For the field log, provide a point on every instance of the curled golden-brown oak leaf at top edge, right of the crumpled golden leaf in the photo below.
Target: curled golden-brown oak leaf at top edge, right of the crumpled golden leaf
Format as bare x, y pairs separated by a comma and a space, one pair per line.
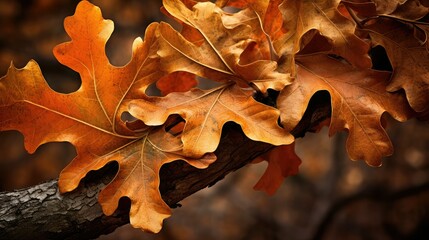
301, 17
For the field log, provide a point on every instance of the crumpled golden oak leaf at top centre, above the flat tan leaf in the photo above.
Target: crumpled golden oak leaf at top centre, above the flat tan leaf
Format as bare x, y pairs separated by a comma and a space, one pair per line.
233, 47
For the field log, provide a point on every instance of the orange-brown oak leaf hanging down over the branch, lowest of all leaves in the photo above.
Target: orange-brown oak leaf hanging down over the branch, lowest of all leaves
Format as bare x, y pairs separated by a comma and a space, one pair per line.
138, 177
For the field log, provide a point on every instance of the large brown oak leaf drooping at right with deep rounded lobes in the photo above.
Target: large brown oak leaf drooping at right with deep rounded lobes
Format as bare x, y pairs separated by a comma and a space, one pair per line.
358, 99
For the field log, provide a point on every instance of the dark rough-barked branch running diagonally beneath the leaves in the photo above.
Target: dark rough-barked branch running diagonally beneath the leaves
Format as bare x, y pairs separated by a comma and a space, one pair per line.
40, 212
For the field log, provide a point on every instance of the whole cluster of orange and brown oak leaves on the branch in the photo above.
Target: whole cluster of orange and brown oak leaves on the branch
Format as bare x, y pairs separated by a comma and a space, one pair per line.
294, 48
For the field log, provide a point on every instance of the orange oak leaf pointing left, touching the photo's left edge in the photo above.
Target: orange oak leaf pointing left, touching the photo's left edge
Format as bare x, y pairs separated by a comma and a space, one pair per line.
42, 115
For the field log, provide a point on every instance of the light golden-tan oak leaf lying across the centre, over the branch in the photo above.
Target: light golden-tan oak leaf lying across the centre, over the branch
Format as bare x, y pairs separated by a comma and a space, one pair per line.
205, 113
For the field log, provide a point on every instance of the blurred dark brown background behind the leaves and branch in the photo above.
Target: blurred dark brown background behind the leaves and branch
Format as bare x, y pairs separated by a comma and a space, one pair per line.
331, 198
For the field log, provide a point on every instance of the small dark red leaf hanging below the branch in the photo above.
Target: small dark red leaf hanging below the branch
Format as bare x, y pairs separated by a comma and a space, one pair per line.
282, 162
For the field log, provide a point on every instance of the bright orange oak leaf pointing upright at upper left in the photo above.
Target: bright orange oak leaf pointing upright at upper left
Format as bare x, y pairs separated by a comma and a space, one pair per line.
108, 85
